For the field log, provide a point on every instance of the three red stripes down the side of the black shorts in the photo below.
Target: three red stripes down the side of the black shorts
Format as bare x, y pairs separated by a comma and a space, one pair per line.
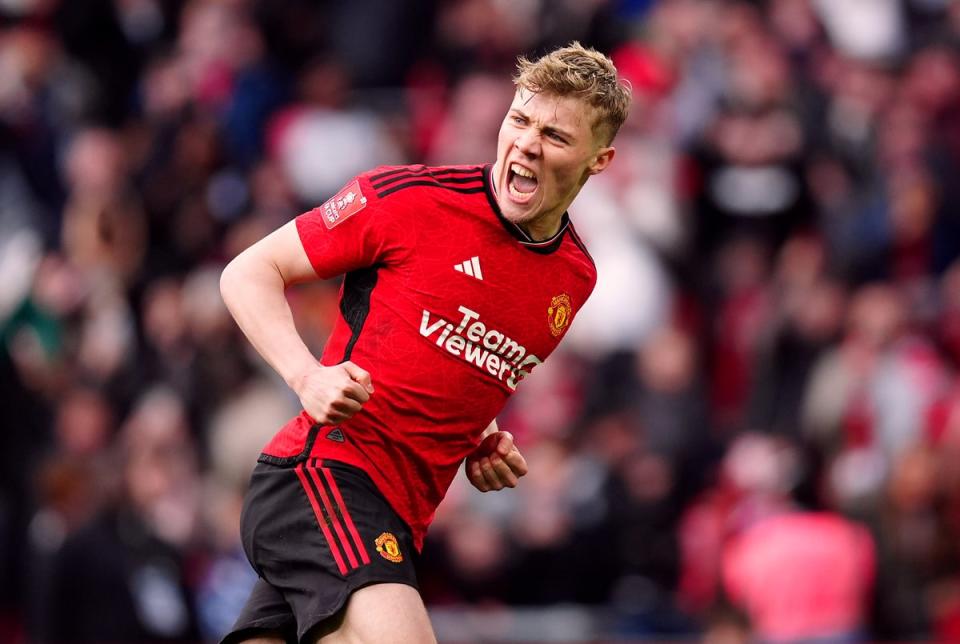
332, 516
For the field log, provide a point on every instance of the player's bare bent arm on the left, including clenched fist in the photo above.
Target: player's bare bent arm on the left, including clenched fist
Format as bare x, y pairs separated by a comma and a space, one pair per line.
254, 286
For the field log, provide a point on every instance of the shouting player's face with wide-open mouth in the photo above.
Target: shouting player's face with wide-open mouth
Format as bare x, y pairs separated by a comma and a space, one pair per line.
545, 153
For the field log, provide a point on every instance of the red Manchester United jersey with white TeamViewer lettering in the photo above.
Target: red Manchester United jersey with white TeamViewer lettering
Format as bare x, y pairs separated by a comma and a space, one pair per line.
448, 306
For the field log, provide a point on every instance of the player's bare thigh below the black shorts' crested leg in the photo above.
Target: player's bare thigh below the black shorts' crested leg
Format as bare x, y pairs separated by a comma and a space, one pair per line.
380, 614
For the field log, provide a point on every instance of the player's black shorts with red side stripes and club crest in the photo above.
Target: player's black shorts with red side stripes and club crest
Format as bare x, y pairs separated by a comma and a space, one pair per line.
316, 532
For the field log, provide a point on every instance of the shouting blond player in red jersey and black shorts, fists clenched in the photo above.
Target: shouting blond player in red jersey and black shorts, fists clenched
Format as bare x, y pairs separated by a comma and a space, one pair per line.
458, 282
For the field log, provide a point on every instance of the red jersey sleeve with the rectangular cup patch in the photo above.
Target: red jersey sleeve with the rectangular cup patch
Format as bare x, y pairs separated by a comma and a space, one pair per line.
351, 230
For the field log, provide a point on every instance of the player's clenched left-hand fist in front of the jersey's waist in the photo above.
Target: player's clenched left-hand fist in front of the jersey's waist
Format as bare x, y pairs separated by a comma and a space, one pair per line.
331, 395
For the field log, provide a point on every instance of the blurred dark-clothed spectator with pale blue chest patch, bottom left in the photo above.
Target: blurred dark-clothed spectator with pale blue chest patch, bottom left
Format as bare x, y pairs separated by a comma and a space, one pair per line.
128, 562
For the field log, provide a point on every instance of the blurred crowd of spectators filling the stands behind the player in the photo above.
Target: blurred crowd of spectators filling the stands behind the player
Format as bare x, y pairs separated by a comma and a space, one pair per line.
751, 431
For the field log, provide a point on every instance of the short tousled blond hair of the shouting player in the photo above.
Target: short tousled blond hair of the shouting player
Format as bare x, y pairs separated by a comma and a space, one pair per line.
584, 73
